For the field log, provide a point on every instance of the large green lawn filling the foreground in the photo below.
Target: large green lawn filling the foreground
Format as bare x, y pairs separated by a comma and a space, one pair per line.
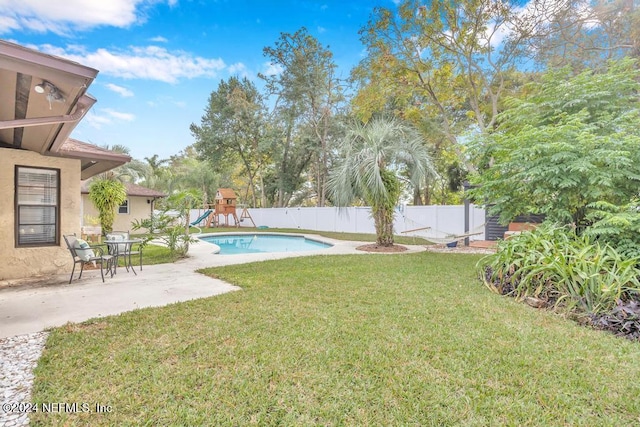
411, 339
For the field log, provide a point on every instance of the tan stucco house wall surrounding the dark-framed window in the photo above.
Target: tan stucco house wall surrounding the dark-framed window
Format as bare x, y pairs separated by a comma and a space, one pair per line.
19, 263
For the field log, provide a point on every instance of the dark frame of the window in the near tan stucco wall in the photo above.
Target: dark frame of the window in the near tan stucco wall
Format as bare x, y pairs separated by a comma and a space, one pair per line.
17, 207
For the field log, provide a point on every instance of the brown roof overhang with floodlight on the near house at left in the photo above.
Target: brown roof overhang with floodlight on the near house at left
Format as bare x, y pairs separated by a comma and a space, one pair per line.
43, 99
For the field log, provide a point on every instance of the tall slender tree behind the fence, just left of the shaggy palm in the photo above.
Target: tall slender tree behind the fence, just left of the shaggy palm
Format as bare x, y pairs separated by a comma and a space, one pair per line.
308, 94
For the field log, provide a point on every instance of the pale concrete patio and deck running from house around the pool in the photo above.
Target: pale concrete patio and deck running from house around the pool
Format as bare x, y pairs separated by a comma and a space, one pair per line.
37, 304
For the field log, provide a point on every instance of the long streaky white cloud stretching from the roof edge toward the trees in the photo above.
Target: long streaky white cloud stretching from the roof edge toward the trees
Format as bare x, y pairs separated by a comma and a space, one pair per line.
146, 62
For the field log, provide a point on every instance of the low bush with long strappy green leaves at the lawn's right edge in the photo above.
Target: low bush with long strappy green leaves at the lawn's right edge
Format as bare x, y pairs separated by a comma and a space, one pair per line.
564, 270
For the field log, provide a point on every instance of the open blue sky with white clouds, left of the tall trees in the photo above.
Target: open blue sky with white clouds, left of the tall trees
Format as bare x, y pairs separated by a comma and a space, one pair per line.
159, 60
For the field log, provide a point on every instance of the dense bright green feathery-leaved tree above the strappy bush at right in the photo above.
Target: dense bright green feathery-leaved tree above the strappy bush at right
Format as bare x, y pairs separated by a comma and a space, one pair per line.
571, 142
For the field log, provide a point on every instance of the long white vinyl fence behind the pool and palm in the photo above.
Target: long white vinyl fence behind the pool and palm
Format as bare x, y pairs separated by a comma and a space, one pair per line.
438, 222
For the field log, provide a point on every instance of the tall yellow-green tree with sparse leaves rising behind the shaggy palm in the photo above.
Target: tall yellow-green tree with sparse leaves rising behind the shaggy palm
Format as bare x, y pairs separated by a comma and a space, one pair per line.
452, 59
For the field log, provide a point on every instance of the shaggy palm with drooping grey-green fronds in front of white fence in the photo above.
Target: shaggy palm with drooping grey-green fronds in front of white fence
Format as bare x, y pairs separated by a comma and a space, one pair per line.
372, 156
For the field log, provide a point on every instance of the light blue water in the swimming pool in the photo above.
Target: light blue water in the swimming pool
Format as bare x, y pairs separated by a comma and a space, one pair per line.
233, 244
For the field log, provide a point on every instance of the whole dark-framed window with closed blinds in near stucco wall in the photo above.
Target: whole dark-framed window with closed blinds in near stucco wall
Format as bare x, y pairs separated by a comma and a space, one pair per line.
37, 206
